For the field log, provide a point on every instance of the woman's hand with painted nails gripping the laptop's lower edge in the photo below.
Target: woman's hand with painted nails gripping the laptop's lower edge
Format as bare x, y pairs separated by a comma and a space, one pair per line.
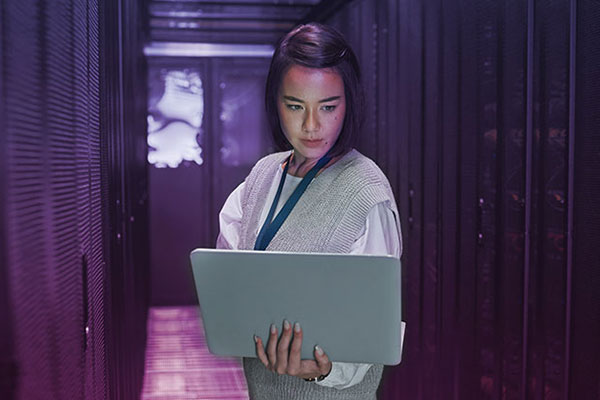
285, 359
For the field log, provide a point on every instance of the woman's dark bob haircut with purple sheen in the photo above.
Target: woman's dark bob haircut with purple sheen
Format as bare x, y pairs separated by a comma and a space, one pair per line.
317, 46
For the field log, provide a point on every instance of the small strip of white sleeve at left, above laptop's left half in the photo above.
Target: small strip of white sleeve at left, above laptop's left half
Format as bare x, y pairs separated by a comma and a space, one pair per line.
230, 219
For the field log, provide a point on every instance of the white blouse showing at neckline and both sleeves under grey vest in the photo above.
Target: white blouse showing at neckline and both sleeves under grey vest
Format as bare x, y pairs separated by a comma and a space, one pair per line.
379, 236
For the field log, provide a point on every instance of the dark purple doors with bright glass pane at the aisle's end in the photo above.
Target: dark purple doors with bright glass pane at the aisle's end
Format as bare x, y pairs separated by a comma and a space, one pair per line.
187, 196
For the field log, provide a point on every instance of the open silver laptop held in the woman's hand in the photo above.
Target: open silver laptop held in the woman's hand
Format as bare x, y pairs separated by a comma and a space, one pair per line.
347, 304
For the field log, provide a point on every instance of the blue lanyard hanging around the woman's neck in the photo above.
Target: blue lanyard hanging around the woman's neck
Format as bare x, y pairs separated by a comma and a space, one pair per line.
269, 229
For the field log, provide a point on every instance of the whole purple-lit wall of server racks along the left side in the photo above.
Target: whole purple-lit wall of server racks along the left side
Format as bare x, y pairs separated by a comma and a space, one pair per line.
56, 264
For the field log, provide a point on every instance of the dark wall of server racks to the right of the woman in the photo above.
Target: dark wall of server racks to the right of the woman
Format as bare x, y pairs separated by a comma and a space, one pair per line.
485, 119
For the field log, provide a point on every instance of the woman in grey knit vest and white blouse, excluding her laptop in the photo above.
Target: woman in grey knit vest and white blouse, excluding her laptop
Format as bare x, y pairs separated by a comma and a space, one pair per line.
332, 200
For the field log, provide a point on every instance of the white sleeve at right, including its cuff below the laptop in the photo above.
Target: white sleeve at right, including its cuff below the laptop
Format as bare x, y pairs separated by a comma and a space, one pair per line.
379, 236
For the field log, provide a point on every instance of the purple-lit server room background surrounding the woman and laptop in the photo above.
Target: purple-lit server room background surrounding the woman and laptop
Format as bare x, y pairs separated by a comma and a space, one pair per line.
125, 124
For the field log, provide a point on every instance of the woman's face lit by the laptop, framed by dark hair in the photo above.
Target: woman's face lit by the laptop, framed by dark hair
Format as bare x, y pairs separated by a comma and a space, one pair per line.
311, 105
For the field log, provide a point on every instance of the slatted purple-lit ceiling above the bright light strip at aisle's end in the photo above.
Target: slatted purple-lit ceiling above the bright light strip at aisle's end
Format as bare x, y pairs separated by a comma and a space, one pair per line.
232, 21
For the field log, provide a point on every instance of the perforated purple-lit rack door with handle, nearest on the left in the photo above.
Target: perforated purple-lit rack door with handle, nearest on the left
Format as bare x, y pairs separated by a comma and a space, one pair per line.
52, 187
